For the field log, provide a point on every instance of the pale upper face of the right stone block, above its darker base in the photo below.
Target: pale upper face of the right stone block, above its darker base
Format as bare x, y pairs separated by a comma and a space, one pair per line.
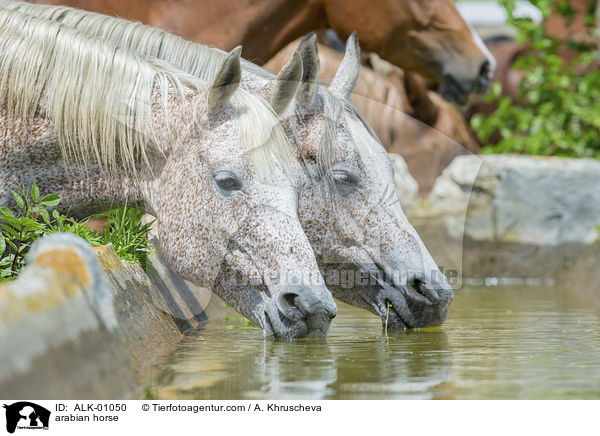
532, 200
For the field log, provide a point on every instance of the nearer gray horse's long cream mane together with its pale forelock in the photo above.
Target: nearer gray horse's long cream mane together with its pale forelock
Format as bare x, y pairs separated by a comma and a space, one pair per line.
100, 96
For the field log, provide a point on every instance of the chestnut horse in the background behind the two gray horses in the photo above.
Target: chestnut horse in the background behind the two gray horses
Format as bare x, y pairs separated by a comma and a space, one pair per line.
426, 36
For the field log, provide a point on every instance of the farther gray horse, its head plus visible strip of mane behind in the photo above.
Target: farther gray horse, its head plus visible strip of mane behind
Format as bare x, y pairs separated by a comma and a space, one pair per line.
370, 254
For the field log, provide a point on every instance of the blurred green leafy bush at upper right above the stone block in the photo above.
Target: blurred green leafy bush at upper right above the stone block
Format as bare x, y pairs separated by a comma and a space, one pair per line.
559, 100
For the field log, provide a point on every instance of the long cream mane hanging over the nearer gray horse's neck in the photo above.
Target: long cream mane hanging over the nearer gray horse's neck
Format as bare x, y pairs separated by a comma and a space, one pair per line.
99, 97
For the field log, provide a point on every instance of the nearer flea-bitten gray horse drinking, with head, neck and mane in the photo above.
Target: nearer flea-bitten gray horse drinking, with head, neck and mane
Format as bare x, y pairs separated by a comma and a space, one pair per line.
101, 126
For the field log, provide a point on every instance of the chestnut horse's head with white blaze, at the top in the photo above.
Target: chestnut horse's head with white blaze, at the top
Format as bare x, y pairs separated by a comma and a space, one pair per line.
426, 36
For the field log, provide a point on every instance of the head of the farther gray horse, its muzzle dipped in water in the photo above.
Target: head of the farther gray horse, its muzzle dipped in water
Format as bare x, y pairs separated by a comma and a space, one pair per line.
369, 253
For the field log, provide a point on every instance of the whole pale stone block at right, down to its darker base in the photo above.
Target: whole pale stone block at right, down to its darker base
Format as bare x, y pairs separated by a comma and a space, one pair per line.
512, 216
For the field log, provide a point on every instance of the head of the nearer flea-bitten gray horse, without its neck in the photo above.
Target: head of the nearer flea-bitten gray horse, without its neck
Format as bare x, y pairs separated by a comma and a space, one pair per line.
227, 210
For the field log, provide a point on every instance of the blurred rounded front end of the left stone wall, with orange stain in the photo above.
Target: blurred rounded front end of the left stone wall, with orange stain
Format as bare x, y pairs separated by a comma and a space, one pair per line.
58, 327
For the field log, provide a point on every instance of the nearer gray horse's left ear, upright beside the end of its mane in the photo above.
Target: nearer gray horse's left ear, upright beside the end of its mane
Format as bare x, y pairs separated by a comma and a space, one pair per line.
227, 81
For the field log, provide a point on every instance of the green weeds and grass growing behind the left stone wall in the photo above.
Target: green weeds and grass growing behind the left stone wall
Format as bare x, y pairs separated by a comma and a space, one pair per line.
124, 229
